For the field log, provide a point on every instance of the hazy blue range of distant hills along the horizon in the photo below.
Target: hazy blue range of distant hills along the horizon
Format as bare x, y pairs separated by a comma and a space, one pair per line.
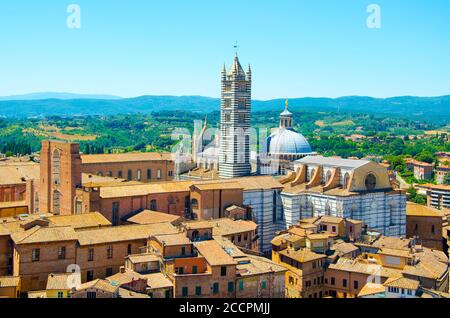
436, 109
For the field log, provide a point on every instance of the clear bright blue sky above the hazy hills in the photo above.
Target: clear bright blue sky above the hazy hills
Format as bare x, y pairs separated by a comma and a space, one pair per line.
296, 48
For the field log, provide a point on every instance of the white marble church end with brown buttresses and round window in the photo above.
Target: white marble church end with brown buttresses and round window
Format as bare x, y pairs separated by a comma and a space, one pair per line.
356, 189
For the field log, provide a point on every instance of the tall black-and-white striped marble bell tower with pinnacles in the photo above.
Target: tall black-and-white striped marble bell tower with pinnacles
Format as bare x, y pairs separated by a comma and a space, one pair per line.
234, 154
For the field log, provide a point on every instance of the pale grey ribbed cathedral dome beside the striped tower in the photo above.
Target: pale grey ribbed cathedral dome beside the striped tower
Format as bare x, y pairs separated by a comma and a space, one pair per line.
288, 141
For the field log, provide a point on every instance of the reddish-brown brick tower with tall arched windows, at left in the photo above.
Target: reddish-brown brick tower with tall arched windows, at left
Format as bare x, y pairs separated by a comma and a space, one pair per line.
60, 176
